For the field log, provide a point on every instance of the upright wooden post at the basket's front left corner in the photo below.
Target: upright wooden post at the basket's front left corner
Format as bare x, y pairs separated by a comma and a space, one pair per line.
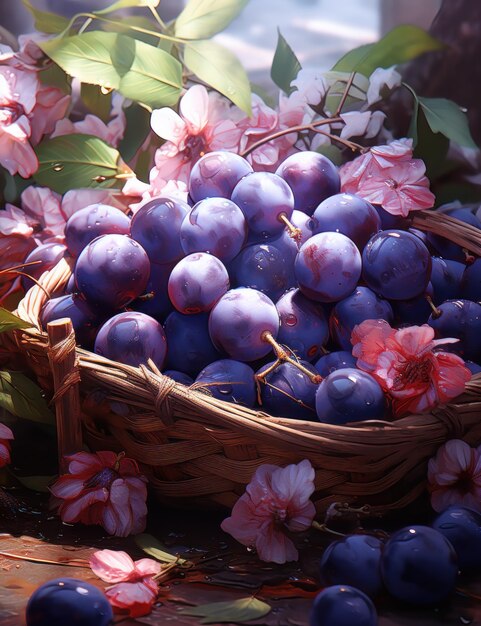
66, 376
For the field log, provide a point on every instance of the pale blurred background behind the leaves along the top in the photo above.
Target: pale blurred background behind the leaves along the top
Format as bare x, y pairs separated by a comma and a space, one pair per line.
319, 31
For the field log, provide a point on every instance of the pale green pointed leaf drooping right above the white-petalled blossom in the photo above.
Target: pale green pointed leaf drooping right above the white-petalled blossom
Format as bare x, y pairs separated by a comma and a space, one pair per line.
220, 69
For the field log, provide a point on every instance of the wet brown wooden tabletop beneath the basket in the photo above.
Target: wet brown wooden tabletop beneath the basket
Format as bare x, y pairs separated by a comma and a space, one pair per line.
224, 570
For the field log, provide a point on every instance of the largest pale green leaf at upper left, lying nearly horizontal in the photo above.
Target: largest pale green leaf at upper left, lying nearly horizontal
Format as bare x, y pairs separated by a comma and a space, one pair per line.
115, 61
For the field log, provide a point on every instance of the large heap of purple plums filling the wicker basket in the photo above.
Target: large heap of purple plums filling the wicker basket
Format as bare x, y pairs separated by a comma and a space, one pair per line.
257, 265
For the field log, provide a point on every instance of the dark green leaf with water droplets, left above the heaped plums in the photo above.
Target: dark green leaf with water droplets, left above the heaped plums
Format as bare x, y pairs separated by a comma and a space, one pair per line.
76, 161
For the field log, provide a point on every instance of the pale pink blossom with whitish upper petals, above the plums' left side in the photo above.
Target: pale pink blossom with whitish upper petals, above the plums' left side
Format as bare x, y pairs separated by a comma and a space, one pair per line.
201, 127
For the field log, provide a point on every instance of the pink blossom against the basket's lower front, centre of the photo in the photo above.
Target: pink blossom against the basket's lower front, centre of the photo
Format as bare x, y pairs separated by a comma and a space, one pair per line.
276, 500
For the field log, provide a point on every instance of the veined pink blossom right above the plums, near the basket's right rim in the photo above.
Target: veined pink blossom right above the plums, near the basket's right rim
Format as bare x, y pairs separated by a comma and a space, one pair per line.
390, 177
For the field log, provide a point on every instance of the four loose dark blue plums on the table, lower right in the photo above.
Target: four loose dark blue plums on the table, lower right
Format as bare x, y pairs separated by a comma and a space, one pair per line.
417, 565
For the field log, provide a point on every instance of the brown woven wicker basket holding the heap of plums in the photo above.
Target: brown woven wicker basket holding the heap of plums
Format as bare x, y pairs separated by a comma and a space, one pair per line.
198, 450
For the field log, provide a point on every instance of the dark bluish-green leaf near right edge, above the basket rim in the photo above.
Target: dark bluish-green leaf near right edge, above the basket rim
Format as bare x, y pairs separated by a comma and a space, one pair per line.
446, 117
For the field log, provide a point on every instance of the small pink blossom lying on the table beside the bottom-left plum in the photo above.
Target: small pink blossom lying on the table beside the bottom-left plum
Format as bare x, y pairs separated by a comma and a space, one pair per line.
134, 588
